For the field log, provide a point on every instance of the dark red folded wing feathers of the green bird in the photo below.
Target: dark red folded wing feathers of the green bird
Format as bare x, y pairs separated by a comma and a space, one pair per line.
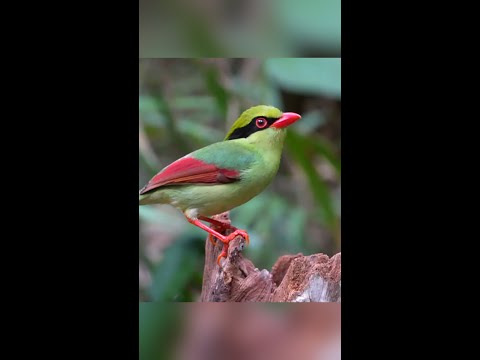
190, 171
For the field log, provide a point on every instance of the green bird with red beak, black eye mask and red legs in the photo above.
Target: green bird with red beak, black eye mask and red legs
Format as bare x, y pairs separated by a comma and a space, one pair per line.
224, 175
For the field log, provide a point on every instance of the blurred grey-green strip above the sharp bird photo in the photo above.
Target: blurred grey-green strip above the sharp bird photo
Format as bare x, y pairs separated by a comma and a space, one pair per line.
215, 28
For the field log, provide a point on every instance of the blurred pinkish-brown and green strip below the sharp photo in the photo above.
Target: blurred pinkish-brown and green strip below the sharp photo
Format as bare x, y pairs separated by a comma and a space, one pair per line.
213, 331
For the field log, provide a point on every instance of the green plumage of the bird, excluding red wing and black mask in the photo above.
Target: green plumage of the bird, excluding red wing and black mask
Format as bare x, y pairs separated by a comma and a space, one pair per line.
256, 158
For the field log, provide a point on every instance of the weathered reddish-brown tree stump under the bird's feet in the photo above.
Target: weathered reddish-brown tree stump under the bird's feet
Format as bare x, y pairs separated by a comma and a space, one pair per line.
293, 278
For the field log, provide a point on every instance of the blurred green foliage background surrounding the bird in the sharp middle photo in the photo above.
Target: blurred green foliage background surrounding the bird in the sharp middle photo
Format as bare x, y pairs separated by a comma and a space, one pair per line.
185, 104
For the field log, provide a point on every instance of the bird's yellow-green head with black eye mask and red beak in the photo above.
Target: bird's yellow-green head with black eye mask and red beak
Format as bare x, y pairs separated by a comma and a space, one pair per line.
262, 123
